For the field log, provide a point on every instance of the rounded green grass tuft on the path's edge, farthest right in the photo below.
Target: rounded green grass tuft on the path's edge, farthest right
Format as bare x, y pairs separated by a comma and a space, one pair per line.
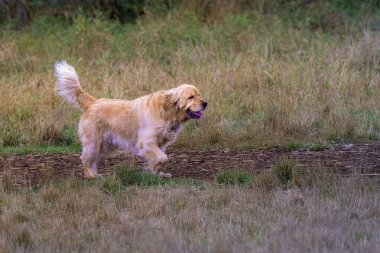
288, 173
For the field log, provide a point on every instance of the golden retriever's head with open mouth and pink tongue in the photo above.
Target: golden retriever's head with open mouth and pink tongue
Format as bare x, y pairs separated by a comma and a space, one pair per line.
186, 102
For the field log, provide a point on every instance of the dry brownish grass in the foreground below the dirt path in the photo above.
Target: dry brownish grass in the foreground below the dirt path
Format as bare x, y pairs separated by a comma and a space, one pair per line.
329, 216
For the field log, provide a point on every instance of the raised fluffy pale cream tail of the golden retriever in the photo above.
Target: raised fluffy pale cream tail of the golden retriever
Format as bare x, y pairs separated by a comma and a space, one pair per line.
68, 86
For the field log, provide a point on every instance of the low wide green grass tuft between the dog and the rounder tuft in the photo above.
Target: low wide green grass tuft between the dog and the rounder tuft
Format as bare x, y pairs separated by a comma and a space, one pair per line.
233, 177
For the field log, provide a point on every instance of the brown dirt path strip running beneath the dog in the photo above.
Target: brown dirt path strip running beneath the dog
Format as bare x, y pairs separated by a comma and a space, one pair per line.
361, 158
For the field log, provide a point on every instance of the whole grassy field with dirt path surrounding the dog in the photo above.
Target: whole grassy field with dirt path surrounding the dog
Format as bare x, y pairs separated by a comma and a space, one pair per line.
286, 158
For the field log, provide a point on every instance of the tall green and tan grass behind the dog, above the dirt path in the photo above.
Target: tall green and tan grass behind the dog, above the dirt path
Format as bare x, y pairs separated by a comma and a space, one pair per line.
268, 80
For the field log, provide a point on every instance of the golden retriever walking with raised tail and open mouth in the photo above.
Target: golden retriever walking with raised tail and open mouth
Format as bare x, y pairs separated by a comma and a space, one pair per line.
145, 126
